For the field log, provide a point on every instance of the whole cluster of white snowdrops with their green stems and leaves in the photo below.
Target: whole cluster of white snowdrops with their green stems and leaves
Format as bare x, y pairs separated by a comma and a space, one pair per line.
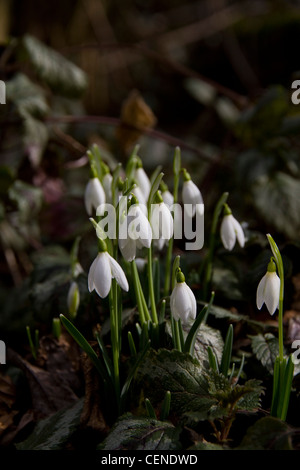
135, 215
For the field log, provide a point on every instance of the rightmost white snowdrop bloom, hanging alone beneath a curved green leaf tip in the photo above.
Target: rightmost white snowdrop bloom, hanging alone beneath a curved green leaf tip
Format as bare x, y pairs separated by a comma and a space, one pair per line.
268, 289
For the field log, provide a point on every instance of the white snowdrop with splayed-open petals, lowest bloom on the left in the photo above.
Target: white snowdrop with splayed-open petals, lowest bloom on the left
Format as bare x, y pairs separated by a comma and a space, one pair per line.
103, 269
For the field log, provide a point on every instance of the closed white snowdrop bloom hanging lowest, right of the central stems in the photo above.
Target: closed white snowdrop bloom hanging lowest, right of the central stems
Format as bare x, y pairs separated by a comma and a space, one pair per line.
182, 301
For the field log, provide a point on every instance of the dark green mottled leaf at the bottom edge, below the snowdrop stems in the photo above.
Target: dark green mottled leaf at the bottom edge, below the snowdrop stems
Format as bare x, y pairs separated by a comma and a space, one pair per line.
141, 433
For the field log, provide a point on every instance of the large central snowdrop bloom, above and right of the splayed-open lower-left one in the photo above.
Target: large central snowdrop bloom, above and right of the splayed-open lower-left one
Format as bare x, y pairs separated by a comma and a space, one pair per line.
135, 232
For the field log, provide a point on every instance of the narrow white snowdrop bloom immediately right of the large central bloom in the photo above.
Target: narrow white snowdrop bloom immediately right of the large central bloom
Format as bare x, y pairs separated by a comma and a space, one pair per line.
161, 220
